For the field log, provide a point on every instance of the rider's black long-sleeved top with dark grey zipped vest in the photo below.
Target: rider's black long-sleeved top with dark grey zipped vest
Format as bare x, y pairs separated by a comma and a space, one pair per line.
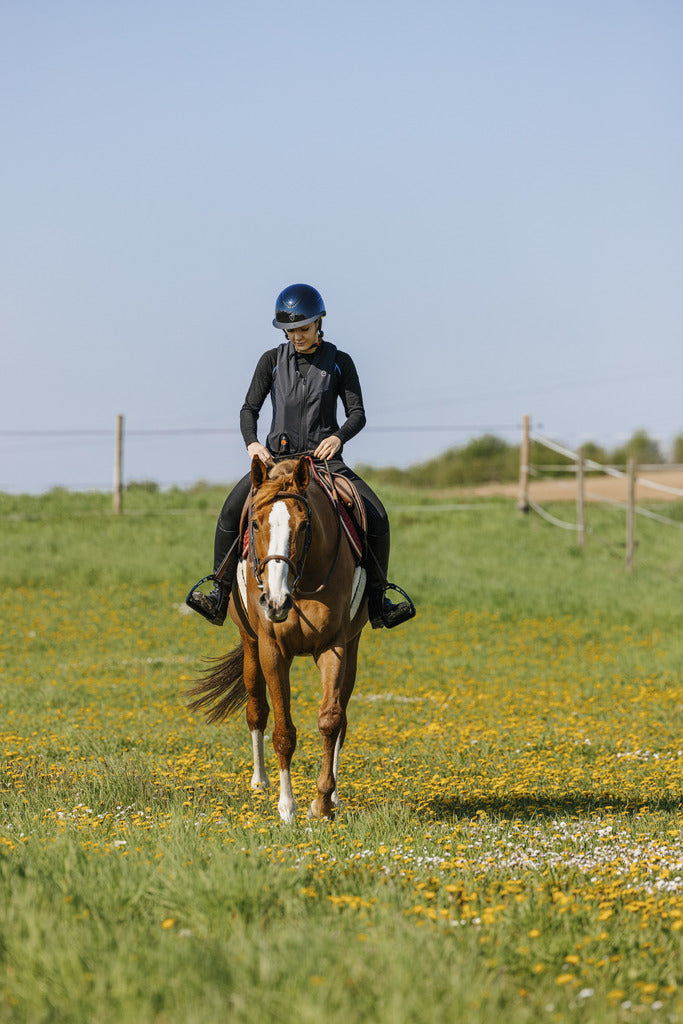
305, 390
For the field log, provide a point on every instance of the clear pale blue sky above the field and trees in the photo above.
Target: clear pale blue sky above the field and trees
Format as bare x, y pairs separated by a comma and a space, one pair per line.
487, 194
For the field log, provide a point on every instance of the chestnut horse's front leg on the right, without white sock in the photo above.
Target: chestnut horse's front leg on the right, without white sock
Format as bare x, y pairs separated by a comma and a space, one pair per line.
332, 726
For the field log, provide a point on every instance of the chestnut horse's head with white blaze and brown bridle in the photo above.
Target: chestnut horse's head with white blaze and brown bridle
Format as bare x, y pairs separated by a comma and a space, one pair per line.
280, 532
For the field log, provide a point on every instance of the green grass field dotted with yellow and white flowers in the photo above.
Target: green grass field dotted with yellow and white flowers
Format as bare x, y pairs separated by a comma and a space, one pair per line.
511, 844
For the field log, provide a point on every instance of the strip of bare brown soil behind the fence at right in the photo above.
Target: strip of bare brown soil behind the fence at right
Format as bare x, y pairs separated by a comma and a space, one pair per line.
596, 489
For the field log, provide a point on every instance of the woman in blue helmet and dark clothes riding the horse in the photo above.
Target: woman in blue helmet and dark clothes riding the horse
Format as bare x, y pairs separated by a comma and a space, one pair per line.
305, 377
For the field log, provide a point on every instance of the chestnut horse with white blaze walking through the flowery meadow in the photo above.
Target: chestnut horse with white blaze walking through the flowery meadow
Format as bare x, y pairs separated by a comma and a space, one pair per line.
302, 576
